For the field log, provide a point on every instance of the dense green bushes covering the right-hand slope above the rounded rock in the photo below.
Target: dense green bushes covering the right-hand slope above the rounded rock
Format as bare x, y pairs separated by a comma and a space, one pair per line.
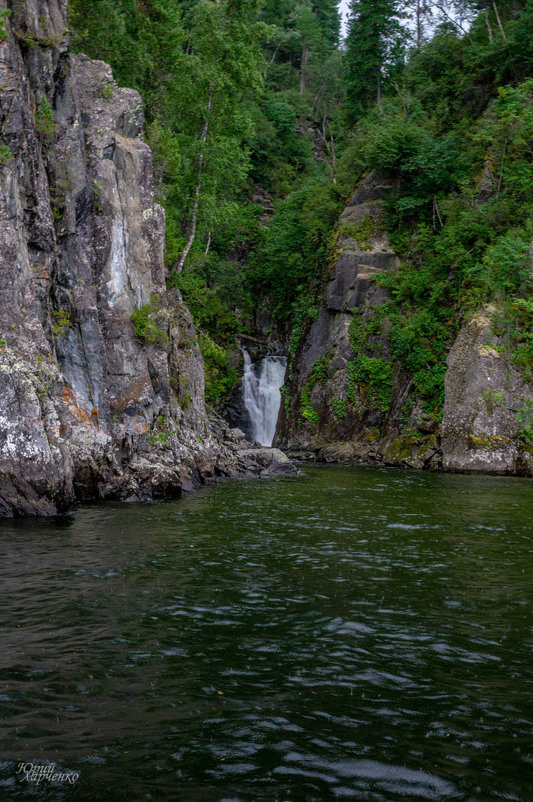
455, 134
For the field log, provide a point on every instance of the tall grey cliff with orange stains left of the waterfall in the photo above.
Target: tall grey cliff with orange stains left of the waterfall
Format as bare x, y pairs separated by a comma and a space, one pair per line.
101, 379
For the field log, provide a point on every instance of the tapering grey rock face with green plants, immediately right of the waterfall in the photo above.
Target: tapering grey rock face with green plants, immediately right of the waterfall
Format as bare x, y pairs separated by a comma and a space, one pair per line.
330, 416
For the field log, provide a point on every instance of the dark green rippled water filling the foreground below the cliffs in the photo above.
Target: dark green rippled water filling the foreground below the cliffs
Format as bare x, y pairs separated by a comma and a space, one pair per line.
354, 634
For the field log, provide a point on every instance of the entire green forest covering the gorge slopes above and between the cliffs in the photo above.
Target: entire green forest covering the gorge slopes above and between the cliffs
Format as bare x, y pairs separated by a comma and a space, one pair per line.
263, 118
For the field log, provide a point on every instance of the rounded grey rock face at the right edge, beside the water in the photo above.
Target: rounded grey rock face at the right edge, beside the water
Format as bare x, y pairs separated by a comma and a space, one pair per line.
487, 405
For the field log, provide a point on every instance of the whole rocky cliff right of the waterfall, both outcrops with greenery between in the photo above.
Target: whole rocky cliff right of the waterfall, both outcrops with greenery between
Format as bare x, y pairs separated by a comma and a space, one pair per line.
347, 401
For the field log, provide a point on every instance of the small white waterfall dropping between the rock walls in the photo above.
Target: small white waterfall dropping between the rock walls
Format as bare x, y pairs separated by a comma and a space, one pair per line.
261, 395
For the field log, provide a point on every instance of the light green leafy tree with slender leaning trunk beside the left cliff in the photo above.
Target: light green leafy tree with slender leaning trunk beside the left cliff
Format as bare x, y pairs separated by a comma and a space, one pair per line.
221, 73
